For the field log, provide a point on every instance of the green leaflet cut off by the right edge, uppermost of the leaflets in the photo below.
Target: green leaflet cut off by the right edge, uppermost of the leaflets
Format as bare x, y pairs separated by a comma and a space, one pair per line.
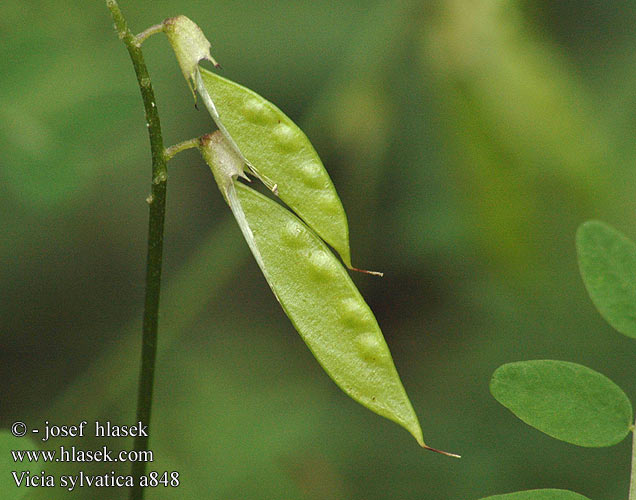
607, 261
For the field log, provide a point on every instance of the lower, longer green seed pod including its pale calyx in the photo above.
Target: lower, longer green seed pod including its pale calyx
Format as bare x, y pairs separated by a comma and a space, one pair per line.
316, 293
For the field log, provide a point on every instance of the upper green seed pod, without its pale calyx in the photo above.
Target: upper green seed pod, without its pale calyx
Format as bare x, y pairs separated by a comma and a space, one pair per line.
280, 154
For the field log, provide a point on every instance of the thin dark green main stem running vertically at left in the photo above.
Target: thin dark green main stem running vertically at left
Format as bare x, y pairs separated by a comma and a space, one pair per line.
157, 203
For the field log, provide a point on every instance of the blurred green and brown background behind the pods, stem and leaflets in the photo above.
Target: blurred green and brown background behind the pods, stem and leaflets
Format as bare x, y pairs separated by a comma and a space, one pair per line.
467, 139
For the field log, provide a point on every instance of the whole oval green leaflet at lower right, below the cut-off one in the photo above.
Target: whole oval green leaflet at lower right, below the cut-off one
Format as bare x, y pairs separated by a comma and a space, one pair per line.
565, 400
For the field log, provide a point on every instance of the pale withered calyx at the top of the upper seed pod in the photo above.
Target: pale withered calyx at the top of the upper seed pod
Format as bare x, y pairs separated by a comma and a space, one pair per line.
190, 46
